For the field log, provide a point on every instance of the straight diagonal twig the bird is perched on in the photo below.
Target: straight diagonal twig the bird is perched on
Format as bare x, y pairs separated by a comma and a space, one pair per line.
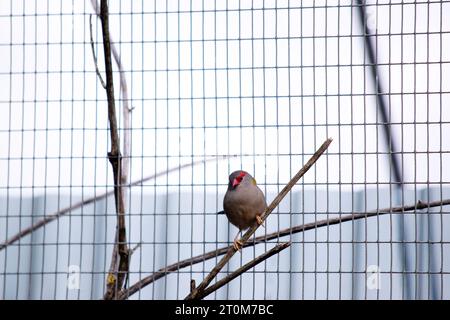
265, 214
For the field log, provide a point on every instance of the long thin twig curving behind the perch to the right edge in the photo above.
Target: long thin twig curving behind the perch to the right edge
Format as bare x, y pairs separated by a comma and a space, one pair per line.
275, 235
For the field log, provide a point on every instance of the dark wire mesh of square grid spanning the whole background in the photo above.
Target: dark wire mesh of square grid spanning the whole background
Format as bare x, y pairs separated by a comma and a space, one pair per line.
204, 88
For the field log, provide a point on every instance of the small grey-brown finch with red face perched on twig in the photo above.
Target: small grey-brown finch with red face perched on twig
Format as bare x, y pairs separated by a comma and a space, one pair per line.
244, 203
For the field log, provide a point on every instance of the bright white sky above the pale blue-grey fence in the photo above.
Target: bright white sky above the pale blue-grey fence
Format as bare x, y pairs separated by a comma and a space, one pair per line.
48, 85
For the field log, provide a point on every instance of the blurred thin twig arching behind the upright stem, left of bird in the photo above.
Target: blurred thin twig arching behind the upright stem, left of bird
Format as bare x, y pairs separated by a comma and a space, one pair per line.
51, 217
